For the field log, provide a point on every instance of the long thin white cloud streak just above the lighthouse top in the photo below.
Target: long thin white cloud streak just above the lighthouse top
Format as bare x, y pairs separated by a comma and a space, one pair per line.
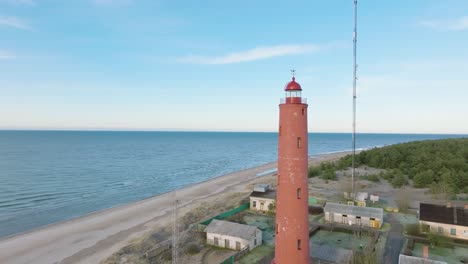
258, 53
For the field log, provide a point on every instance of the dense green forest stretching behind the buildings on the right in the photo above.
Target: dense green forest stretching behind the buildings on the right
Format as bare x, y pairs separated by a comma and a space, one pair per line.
437, 164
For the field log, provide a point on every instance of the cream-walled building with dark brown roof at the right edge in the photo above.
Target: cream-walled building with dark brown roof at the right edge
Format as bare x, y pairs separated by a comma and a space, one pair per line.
447, 220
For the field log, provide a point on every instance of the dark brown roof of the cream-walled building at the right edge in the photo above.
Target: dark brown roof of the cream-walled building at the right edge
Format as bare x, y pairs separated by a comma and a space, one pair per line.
443, 214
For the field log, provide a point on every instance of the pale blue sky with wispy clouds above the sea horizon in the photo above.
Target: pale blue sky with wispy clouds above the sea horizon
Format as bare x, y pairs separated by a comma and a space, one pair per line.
222, 65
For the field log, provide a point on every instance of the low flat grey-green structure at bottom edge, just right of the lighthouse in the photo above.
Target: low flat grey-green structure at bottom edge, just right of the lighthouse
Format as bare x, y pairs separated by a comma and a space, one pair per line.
321, 254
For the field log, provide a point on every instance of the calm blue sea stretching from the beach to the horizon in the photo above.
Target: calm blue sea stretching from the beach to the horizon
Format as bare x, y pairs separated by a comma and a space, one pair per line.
49, 176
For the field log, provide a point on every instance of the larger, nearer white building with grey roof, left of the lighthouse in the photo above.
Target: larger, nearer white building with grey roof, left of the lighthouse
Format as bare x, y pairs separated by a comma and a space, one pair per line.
233, 235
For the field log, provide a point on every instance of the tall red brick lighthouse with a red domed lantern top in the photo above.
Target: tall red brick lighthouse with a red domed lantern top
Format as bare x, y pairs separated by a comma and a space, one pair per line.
292, 225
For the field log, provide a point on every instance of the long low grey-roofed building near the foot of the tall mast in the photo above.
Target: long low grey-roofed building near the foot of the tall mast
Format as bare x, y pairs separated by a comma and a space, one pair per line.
353, 215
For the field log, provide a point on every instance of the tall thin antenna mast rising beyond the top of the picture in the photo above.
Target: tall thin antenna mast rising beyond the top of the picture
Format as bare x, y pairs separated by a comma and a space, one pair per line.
354, 97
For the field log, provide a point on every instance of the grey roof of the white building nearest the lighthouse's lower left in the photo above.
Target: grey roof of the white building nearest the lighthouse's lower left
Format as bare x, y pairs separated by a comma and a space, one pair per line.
231, 229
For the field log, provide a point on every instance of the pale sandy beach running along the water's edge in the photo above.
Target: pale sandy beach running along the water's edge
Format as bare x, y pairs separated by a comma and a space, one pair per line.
94, 237
